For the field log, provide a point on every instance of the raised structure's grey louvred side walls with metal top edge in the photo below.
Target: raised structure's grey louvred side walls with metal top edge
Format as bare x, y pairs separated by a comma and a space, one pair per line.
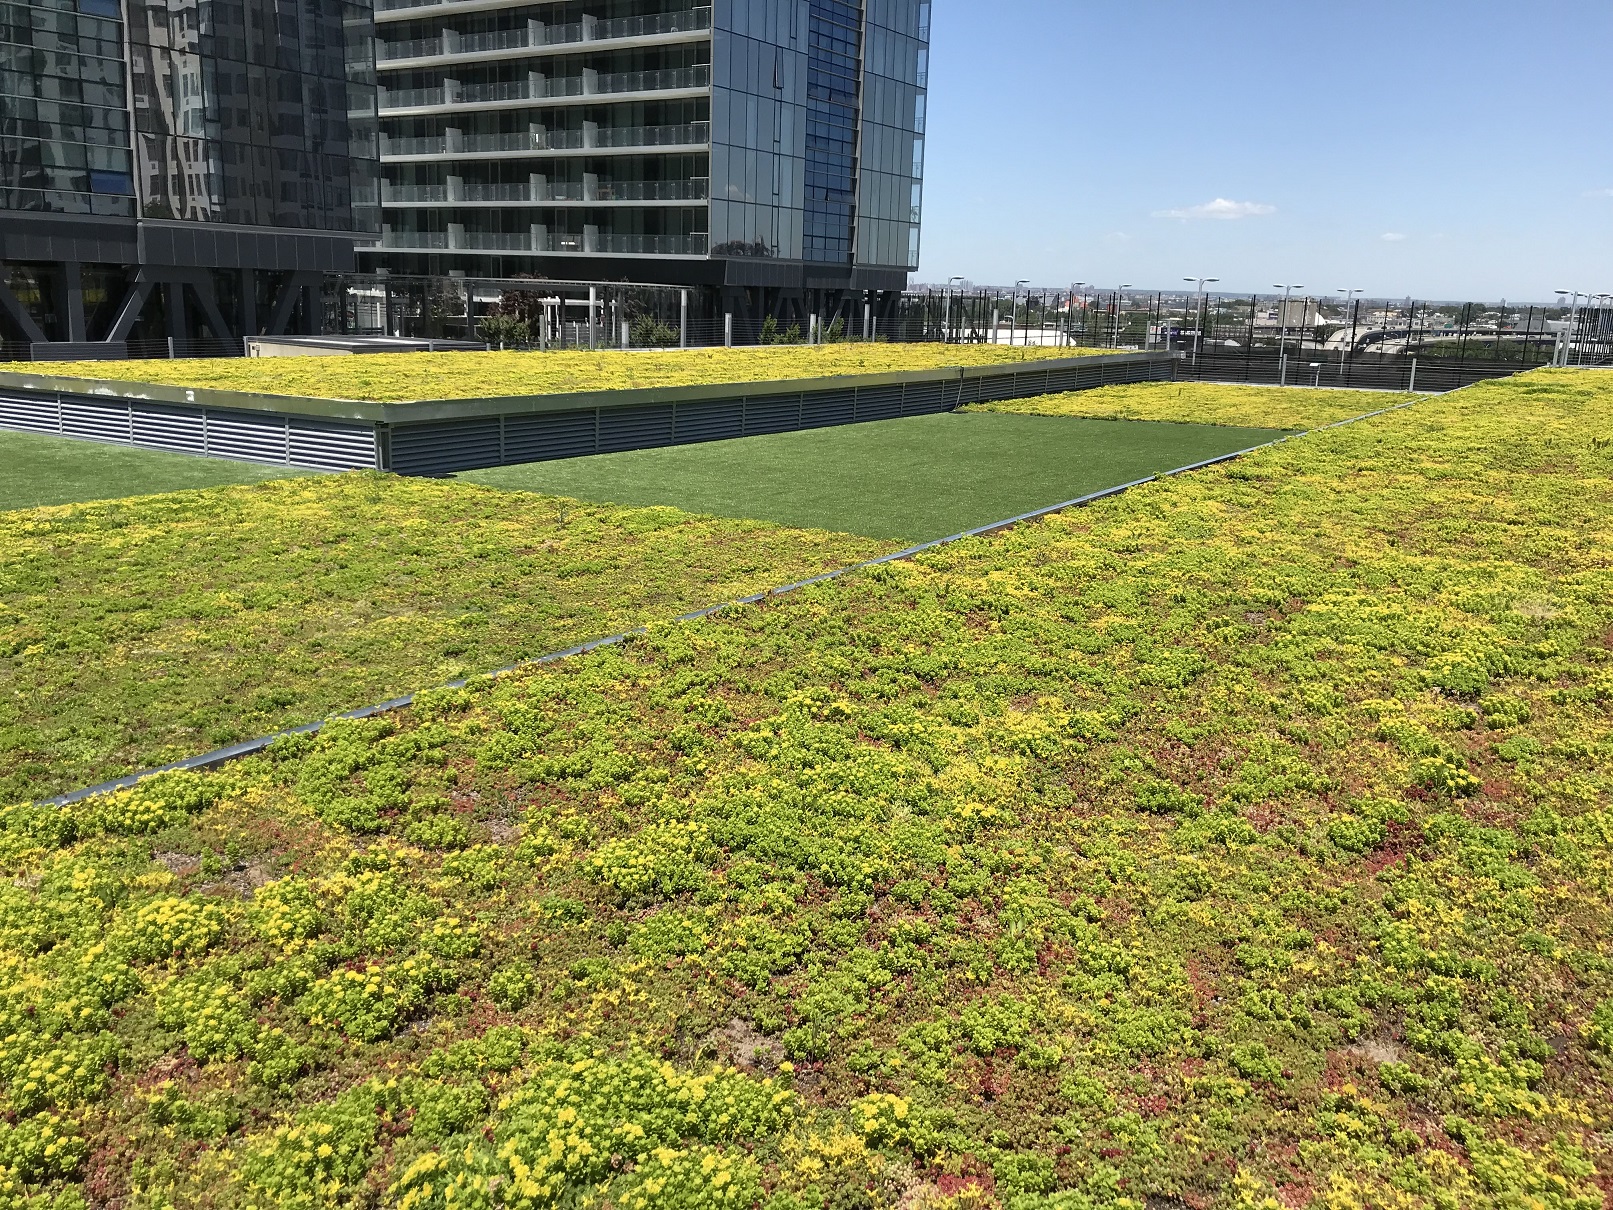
446, 436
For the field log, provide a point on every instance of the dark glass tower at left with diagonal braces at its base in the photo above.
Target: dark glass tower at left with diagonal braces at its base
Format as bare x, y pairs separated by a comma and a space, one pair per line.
180, 169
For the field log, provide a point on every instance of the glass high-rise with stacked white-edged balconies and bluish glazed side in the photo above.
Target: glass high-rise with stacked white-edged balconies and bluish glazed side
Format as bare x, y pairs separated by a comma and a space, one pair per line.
738, 144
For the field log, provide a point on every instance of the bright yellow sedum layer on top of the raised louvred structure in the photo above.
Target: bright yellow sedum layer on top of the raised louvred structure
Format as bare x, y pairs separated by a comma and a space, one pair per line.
399, 378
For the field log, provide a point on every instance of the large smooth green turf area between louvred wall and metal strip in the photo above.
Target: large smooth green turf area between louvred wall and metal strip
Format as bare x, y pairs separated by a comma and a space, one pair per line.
909, 480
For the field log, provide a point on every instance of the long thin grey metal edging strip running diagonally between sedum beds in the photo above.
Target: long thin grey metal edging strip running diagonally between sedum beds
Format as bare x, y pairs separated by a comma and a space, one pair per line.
248, 748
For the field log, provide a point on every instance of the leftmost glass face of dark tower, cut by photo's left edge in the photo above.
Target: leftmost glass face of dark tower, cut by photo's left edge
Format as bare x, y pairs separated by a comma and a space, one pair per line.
64, 119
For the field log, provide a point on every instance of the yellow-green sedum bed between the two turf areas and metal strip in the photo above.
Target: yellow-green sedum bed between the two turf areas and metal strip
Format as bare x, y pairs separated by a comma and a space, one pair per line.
135, 633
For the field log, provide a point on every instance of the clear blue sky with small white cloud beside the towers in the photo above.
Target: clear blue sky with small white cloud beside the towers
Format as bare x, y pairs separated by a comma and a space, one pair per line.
1443, 149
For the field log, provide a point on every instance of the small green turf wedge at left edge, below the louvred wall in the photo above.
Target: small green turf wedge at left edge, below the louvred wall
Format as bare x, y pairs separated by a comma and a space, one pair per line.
38, 470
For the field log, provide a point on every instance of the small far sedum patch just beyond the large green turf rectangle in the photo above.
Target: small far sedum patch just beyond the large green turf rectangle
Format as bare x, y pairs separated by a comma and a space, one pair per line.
1207, 404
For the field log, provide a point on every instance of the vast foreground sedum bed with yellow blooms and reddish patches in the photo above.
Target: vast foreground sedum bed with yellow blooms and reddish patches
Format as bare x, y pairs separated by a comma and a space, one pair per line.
1243, 841
